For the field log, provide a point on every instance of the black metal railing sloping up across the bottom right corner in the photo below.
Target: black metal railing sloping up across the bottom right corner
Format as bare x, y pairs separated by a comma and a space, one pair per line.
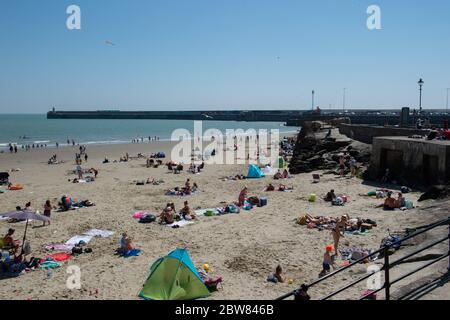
387, 266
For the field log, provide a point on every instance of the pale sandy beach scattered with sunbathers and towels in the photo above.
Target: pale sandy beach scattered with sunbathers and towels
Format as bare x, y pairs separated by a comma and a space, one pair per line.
242, 248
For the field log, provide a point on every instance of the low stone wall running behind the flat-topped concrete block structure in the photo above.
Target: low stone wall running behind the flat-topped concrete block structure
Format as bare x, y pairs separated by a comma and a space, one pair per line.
366, 133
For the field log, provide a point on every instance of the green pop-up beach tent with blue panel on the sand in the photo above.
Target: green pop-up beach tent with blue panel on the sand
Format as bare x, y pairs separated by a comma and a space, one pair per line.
174, 278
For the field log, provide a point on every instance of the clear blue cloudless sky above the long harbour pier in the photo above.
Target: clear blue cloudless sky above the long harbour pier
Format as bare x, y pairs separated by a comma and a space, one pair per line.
221, 54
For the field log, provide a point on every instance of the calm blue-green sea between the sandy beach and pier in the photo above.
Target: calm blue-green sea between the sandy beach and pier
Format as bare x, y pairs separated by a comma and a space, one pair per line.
39, 129
